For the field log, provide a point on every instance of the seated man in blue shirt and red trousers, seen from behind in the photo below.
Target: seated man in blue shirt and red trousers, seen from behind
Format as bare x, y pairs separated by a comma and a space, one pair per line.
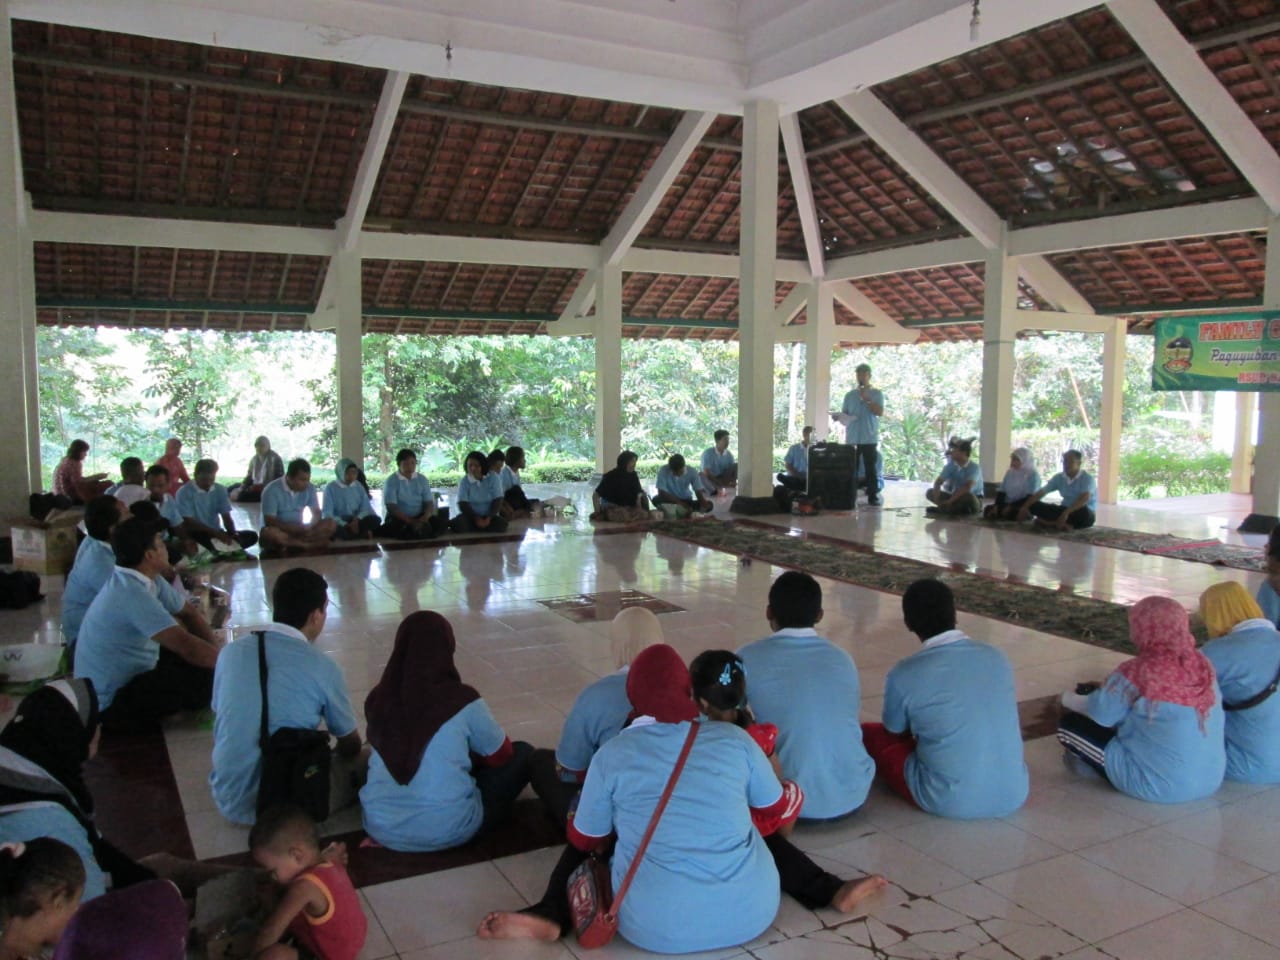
952, 742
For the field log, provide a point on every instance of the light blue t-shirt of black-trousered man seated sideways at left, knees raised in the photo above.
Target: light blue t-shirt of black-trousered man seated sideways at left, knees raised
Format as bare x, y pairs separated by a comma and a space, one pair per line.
116, 642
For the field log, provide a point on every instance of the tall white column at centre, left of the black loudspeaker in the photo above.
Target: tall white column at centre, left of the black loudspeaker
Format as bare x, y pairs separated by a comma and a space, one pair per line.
758, 244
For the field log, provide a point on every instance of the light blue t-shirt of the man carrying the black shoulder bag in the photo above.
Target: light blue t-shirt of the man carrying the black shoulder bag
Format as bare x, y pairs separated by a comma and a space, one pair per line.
304, 687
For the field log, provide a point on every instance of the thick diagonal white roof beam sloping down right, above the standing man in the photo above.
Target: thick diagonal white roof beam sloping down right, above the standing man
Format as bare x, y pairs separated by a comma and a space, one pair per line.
927, 168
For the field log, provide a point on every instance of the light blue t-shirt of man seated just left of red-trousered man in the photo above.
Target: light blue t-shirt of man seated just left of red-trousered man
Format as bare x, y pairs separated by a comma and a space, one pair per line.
810, 688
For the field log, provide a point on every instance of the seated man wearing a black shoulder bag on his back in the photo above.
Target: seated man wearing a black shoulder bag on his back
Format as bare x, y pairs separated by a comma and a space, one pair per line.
304, 688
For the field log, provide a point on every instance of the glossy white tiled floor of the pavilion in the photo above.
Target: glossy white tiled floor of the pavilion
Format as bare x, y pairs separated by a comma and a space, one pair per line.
1081, 872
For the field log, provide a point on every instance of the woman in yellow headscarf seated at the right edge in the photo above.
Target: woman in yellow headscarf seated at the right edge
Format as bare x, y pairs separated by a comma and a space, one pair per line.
1245, 650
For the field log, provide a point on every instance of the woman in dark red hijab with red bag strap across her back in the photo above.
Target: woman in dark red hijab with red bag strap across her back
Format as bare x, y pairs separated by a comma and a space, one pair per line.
707, 880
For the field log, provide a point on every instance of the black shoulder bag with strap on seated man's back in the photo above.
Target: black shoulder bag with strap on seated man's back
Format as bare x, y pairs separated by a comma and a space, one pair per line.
295, 761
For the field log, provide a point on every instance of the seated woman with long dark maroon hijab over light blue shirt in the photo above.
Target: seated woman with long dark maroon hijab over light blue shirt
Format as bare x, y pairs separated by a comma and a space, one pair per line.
441, 769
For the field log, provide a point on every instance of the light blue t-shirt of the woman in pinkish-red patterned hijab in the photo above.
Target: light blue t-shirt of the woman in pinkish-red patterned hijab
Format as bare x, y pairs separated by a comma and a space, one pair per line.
1159, 752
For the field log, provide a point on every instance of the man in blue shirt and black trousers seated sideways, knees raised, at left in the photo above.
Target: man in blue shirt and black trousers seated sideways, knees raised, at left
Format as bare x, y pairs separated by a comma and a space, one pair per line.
148, 651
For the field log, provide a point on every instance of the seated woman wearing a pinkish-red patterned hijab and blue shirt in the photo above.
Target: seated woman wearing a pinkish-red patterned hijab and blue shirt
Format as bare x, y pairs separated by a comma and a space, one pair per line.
1155, 728
